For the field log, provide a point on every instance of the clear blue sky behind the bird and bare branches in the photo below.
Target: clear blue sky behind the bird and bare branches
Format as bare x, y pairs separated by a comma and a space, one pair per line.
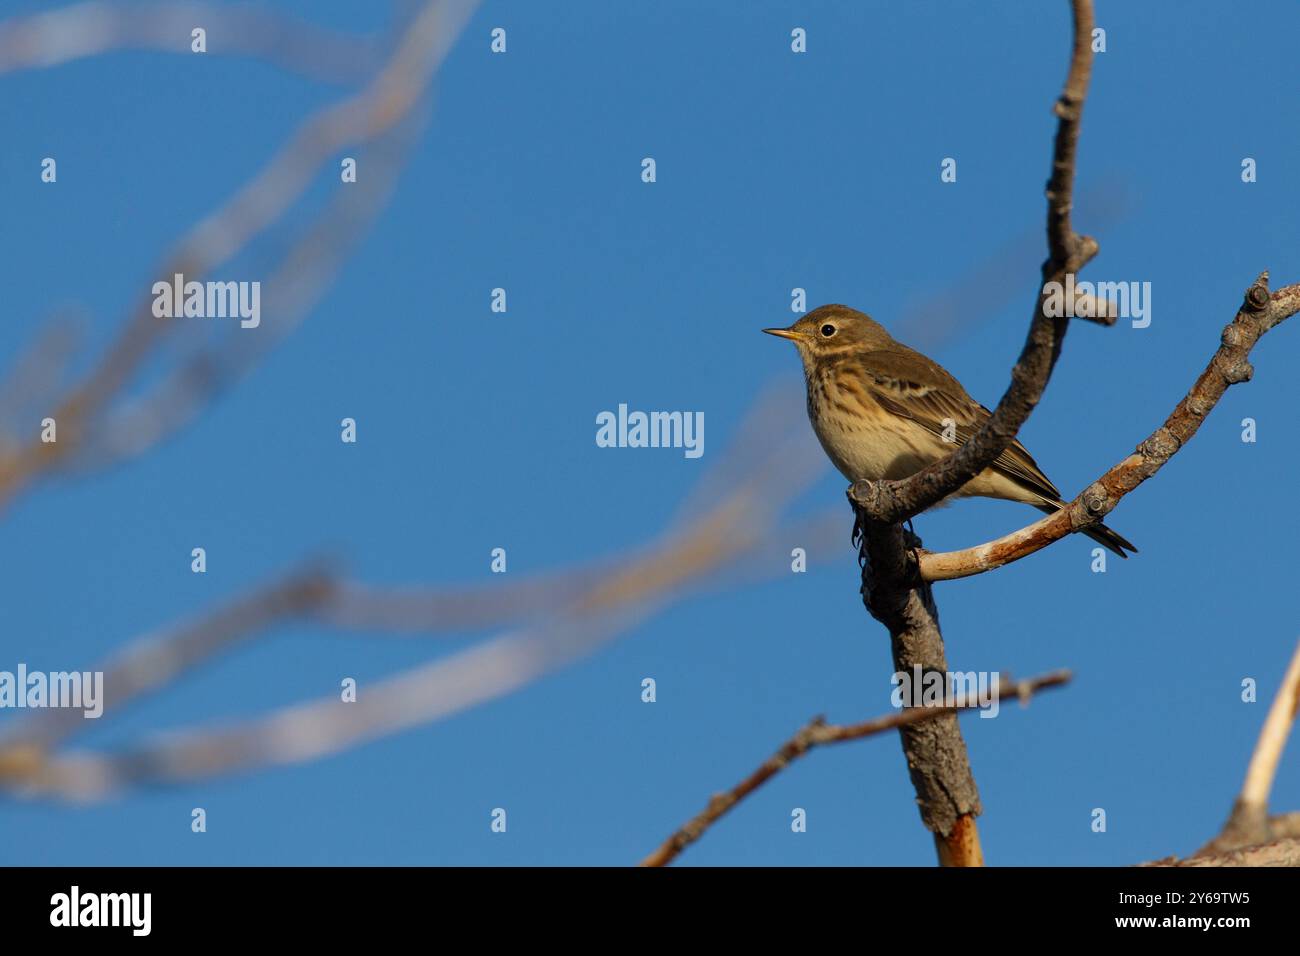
775, 171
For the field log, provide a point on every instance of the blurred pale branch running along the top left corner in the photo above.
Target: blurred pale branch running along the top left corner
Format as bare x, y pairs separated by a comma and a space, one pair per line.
54, 38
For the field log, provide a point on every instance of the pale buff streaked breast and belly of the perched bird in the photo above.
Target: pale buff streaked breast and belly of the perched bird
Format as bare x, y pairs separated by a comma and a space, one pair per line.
887, 447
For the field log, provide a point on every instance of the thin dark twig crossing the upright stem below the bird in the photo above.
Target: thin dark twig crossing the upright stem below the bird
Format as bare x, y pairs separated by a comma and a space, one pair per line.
817, 733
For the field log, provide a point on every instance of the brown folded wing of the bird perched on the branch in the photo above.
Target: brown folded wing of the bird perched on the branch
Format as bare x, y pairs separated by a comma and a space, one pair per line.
912, 386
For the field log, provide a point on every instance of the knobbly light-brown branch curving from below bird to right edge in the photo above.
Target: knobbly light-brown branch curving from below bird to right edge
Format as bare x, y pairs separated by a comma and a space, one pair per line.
1259, 313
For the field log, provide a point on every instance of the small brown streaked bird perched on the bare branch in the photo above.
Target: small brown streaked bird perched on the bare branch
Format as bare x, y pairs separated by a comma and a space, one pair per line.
886, 412
